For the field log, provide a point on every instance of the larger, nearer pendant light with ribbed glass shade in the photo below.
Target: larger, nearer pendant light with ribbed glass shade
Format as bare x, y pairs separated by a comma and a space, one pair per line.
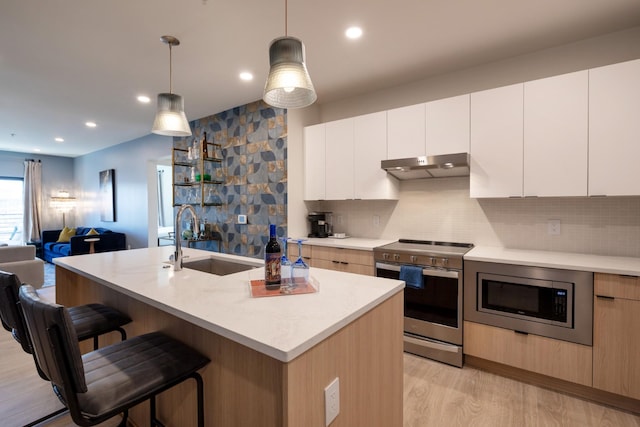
288, 84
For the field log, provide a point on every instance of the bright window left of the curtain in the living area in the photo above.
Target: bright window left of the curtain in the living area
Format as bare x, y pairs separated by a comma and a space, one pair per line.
11, 210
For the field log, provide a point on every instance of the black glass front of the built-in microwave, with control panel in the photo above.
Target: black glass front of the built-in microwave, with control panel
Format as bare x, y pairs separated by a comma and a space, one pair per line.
534, 301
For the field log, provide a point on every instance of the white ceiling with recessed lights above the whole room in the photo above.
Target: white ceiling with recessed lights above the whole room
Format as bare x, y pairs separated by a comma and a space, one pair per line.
64, 62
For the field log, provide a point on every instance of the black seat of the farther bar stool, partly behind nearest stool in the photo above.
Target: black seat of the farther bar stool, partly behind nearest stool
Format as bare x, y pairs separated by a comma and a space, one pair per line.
95, 319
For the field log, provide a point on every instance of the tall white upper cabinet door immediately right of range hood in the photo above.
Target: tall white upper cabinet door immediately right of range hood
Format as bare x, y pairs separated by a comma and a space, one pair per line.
496, 142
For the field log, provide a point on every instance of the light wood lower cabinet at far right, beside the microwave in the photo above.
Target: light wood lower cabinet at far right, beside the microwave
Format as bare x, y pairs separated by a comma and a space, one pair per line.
616, 334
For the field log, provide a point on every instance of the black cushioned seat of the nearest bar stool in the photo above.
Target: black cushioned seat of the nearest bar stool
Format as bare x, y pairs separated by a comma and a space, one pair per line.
117, 375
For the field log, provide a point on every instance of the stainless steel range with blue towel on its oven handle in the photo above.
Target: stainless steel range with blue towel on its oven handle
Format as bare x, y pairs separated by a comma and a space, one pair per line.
433, 307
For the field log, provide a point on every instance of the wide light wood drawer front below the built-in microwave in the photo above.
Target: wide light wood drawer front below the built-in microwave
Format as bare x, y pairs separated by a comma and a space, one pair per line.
546, 356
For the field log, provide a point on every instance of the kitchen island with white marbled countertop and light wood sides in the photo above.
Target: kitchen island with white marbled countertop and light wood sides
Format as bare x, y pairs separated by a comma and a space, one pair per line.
271, 357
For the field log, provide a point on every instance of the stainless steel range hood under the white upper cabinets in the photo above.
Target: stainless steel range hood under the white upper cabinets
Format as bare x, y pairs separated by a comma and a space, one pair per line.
441, 166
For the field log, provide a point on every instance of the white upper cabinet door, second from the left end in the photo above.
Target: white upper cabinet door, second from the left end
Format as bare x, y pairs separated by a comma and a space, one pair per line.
339, 161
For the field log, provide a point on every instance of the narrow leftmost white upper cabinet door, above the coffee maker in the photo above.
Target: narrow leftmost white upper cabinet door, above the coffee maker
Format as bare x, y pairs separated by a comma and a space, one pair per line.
314, 162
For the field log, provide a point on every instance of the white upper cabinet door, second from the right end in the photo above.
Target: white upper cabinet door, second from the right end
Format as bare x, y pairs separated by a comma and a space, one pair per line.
555, 135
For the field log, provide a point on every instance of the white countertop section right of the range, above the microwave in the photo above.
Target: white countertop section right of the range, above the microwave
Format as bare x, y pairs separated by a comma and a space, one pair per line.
564, 260
